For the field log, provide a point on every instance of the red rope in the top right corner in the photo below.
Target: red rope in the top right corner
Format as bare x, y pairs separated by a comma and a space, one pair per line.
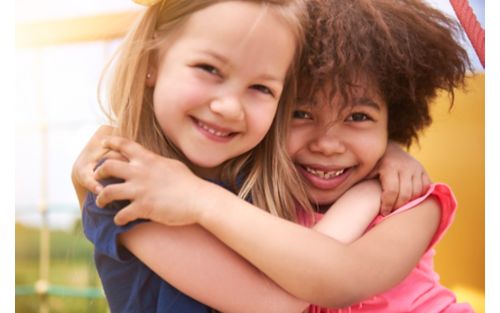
471, 26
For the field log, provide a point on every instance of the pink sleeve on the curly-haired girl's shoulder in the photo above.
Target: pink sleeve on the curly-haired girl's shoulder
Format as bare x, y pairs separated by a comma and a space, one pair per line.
448, 205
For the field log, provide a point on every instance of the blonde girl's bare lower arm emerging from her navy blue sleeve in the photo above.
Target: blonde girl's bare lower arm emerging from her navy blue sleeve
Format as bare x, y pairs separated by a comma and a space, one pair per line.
198, 264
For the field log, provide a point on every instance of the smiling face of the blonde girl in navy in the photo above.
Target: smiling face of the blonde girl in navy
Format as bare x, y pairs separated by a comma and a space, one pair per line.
218, 82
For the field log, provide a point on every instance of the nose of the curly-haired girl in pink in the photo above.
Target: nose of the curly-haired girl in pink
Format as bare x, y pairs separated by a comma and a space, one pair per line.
327, 141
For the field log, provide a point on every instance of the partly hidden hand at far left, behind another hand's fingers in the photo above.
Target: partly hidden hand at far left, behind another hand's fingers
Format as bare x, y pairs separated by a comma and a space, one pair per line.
82, 173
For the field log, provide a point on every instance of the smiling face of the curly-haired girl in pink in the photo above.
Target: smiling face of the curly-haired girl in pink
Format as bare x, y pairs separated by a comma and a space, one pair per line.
334, 149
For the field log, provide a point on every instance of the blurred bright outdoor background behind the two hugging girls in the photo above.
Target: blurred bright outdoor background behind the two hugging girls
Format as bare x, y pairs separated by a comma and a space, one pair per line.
61, 49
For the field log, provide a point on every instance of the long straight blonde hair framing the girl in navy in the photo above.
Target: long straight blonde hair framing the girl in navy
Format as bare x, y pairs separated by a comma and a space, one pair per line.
269, 177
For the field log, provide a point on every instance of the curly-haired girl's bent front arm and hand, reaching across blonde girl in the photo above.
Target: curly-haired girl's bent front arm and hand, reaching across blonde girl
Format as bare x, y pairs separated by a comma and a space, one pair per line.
313, 267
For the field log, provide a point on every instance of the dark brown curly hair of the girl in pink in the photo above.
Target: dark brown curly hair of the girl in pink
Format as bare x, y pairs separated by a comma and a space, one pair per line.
407, 48
